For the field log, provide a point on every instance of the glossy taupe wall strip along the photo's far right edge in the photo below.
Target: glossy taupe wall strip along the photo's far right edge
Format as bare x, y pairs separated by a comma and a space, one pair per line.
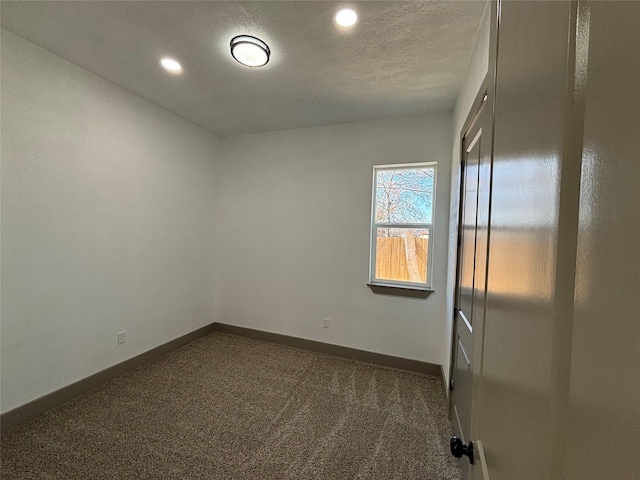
602, 394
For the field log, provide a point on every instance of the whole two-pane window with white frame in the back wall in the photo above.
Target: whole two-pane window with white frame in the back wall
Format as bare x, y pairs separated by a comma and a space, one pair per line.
401, 225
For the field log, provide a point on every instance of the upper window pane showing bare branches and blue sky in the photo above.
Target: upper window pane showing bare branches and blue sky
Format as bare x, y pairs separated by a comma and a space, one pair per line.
404, 195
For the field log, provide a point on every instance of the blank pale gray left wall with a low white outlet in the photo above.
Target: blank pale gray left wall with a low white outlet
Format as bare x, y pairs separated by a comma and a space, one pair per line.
108, 223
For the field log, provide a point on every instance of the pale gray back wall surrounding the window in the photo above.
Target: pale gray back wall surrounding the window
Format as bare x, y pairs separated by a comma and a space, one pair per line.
294, 221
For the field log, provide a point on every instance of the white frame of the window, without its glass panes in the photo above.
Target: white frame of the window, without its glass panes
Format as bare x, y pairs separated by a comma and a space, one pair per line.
427, 285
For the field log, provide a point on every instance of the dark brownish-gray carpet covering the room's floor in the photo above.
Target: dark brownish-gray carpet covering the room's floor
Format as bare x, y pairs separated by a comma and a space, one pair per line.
228, 407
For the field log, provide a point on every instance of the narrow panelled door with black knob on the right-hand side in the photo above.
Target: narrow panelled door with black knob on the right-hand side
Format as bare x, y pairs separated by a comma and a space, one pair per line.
471, 272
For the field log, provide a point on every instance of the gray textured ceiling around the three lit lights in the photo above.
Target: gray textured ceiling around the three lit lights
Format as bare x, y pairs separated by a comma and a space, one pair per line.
401, 58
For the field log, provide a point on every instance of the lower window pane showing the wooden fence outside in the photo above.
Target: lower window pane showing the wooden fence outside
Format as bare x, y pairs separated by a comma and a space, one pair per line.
401, 254
